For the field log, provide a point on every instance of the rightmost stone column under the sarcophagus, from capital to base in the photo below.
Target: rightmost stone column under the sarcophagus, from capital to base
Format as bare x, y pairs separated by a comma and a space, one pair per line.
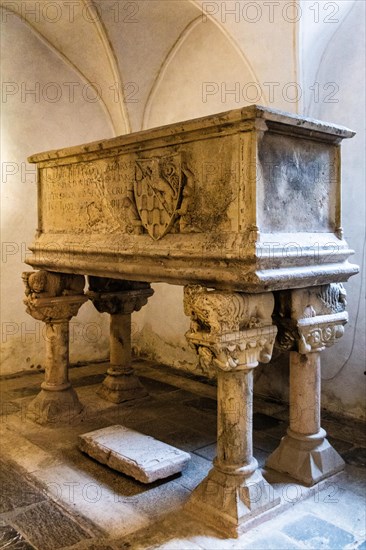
309, 320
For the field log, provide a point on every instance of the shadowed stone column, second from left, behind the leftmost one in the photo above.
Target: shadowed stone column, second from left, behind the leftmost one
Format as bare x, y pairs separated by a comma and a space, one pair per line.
119, 299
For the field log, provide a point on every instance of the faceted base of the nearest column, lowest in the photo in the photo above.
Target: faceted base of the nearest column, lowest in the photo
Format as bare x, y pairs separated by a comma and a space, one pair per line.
230, 502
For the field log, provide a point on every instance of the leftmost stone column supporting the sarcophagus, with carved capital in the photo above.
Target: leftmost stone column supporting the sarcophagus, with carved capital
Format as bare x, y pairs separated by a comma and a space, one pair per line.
55, 298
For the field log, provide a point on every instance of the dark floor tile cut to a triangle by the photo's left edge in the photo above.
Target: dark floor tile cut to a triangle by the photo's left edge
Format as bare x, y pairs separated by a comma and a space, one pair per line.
16, 491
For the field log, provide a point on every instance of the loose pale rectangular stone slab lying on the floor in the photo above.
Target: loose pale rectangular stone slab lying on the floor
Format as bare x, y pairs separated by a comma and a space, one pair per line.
132, 453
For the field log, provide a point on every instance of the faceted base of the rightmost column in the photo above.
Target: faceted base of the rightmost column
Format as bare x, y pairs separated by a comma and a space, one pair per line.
307, 458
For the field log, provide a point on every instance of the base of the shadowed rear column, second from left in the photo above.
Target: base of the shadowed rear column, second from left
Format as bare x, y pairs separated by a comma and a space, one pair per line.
119, 387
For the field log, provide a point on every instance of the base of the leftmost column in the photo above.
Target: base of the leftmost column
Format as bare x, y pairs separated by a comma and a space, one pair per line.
55, 407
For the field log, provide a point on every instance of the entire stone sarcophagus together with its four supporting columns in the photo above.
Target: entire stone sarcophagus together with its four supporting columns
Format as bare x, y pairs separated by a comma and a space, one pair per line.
243, 208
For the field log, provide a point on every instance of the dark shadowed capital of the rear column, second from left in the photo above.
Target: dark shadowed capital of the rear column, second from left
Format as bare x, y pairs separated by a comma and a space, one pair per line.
113, 296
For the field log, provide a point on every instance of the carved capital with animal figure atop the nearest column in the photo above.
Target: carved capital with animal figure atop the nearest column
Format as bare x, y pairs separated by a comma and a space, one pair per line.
229, 330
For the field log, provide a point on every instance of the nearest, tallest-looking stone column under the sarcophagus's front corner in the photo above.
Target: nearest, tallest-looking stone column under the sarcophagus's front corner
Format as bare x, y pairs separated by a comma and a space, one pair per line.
231, 332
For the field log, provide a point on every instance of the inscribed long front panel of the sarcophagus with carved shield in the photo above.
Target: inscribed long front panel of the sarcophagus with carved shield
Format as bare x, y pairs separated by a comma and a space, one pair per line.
174, 190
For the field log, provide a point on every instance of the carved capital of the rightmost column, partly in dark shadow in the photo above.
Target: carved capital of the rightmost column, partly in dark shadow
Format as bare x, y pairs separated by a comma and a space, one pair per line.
310, 320
